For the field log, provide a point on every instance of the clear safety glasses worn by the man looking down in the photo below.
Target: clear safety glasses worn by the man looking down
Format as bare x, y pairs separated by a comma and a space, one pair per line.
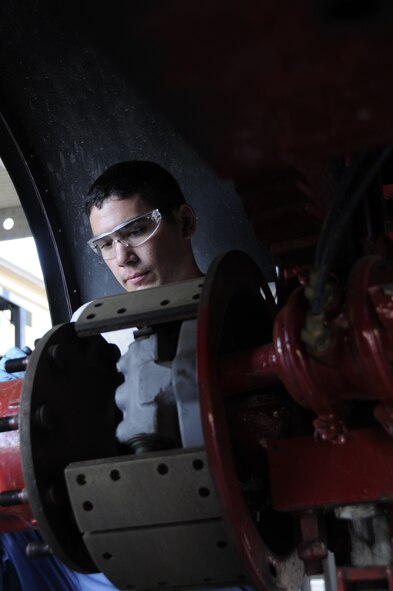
131, 233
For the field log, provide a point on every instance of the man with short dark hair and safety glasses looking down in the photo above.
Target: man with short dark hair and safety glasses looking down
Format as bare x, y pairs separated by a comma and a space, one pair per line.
142, 228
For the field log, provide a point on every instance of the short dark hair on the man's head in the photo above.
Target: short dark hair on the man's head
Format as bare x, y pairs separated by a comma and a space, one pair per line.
156, 186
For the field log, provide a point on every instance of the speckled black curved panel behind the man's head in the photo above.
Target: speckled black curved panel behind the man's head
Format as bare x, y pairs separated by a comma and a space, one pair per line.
73, 108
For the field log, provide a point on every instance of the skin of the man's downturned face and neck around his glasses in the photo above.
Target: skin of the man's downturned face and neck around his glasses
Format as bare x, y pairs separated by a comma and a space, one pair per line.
164, 258
